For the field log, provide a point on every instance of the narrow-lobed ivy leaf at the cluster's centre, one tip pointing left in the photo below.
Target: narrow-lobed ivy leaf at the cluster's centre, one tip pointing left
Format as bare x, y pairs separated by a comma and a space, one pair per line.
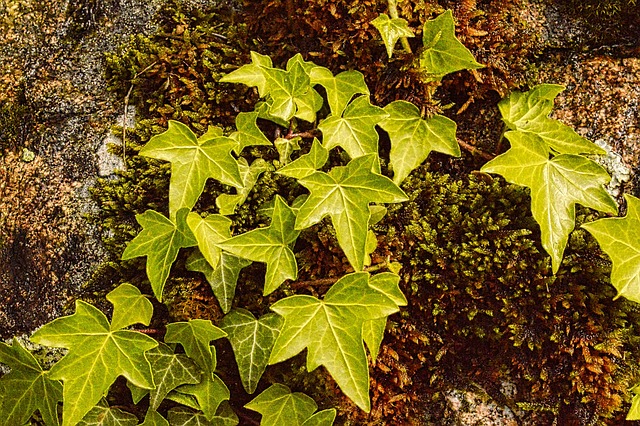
270, 245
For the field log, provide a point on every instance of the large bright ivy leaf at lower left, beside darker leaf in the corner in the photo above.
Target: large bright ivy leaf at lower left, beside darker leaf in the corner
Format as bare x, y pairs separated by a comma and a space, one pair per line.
98, 354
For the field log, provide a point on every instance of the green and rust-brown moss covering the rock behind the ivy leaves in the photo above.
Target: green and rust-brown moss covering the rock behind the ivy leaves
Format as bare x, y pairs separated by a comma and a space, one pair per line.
484, 308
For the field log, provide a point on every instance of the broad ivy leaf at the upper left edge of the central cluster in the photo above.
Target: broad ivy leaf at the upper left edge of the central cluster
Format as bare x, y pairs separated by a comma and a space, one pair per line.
193, 161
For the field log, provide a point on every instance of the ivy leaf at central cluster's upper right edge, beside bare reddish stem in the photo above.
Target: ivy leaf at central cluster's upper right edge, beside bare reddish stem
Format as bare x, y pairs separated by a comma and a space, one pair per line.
413, 138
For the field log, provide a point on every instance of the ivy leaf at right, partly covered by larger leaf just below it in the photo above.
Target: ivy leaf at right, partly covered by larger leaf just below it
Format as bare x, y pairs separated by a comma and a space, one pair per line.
528, 112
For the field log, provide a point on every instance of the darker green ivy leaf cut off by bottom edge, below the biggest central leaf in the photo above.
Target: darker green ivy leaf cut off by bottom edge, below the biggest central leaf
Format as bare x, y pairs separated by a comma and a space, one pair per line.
280, 407
